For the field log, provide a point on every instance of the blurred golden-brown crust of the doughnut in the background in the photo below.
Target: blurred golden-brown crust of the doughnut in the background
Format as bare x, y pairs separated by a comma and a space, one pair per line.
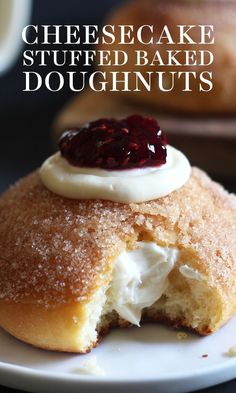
220, 14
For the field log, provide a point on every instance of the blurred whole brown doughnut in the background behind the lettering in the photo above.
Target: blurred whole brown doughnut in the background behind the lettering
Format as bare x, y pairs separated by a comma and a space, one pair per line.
218, 99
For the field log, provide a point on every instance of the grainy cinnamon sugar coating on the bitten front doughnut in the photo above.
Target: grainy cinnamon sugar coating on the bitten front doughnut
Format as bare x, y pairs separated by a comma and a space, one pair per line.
55, 250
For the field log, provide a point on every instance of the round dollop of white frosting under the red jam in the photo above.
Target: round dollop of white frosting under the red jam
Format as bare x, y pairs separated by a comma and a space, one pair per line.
125, 186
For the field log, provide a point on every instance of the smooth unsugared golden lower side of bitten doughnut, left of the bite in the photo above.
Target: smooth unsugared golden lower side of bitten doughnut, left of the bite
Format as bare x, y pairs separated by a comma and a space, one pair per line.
55, 329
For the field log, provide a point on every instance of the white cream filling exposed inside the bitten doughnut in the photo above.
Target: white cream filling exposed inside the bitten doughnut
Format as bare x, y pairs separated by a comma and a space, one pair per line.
140, 277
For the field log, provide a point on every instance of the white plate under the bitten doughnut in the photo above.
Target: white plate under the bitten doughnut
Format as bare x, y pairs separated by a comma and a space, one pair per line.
150, 358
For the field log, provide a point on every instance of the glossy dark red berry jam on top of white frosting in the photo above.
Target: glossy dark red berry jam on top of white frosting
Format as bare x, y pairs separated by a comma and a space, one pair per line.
134, 142
